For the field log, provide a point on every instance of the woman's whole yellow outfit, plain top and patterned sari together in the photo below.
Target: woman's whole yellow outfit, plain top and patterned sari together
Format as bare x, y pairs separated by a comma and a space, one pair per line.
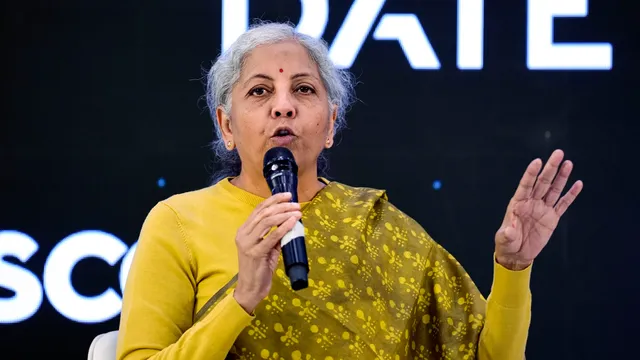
405, 297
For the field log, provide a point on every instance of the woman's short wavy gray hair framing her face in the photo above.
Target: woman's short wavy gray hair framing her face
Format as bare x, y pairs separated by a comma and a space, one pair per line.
224, 74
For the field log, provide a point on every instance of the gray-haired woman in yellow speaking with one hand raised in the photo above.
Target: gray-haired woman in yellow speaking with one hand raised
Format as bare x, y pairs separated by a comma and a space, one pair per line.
206, 281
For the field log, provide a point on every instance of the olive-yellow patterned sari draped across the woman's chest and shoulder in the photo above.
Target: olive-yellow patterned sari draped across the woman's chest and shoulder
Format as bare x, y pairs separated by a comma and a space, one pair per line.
379, 288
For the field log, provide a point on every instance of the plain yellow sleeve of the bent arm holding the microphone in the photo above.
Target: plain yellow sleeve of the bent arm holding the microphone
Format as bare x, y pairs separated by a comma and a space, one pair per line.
158, 303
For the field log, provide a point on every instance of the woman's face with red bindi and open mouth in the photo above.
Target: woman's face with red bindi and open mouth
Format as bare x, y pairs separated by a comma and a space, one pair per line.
279, 100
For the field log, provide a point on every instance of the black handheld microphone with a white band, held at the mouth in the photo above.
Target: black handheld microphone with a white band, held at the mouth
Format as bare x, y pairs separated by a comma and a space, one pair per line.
281, 172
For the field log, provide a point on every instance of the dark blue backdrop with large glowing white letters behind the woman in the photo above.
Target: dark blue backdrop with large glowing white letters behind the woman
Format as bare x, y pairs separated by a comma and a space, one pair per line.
103, 117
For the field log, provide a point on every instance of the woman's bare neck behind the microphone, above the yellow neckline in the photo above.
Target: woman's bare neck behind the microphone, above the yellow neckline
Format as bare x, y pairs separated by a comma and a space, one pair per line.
254, 182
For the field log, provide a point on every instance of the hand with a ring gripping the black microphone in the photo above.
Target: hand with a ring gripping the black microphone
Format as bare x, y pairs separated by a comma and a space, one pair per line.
258, 255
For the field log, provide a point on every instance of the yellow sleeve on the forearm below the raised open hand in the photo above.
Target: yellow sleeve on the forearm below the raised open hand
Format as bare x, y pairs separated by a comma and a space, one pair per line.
508, 315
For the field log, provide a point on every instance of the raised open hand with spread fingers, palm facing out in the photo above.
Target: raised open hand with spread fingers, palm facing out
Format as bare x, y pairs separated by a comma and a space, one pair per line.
534, 211
